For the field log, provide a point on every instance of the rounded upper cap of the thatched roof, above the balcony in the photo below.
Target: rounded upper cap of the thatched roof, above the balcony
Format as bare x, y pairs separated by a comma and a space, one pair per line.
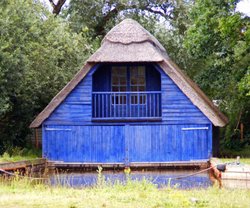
129, 42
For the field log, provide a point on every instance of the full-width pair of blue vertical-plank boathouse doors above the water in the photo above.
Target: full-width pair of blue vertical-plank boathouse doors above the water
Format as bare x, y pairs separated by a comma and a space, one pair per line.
127, 143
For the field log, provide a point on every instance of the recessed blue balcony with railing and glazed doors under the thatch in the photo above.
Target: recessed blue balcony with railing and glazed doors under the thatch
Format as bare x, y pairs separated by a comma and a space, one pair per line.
126, 93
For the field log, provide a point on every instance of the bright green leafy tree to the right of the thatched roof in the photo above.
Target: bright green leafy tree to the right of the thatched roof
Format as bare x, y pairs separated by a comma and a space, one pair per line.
219, 36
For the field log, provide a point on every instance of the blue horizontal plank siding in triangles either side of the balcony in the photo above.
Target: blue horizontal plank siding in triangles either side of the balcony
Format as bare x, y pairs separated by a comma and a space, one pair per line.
76, 109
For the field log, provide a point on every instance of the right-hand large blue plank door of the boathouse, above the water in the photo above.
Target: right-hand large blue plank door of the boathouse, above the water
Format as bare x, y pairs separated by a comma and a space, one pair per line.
164, 143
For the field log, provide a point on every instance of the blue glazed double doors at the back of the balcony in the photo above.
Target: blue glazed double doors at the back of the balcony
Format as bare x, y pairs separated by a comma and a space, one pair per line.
127, 85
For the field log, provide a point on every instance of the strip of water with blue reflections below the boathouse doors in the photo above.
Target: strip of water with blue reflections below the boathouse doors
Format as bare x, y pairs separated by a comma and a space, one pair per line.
160, 178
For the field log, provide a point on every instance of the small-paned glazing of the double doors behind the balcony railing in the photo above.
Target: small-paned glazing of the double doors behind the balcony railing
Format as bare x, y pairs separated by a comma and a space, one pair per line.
132, 78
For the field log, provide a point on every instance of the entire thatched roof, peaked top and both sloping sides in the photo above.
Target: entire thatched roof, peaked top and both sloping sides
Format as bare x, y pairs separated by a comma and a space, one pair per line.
130, 42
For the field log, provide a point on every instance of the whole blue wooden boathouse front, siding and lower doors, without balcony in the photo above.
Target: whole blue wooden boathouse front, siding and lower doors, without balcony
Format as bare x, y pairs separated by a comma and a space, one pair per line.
70, 135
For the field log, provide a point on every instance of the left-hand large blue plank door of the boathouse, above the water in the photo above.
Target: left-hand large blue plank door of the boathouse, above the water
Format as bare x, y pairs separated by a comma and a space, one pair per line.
89, 144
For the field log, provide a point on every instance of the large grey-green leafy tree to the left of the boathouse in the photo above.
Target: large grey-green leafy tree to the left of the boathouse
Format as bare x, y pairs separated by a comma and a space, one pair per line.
38, 56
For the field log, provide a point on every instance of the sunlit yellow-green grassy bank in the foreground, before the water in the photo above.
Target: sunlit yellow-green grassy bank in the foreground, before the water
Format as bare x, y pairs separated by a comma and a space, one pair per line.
22, 193
